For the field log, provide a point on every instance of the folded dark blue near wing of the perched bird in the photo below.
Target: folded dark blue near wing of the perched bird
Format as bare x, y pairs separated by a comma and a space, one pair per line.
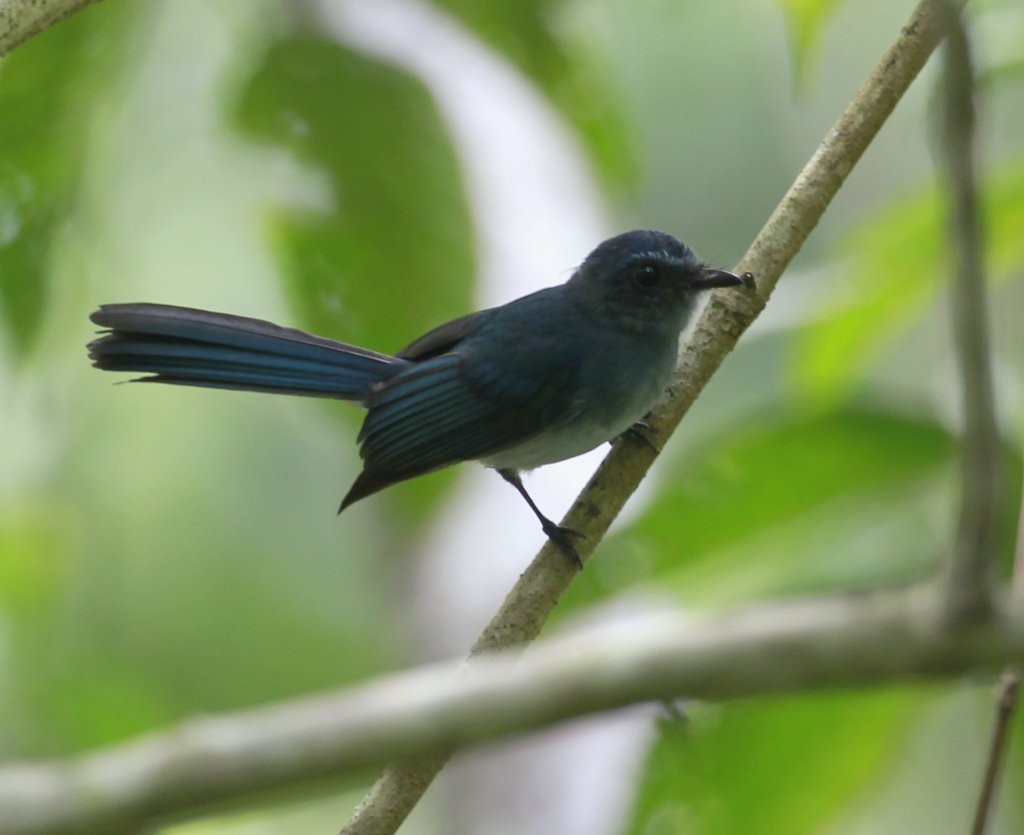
451, 409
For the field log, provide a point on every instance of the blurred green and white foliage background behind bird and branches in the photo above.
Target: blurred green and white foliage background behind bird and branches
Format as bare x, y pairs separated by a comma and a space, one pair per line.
367, 171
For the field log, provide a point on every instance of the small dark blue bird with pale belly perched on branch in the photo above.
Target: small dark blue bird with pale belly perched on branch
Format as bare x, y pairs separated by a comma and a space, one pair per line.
541, 380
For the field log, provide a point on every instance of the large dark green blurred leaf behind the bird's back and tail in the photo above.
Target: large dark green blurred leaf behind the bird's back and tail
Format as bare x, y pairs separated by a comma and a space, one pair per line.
394, 256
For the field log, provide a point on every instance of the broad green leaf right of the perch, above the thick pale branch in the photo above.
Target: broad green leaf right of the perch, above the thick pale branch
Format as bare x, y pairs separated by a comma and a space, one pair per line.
773, 491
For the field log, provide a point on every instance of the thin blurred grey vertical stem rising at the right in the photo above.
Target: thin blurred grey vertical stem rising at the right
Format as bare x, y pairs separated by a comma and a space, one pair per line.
970, 576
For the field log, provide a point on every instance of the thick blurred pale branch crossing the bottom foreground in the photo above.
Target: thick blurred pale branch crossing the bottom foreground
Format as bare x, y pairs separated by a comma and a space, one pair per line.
855, 641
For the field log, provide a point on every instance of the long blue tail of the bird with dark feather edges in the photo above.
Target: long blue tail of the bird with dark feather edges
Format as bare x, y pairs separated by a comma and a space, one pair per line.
186, 347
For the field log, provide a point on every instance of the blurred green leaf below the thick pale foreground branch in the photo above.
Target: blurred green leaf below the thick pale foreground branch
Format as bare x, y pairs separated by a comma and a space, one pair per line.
773, 766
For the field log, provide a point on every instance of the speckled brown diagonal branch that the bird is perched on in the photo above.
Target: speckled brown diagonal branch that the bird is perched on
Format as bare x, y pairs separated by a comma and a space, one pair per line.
531, 602
